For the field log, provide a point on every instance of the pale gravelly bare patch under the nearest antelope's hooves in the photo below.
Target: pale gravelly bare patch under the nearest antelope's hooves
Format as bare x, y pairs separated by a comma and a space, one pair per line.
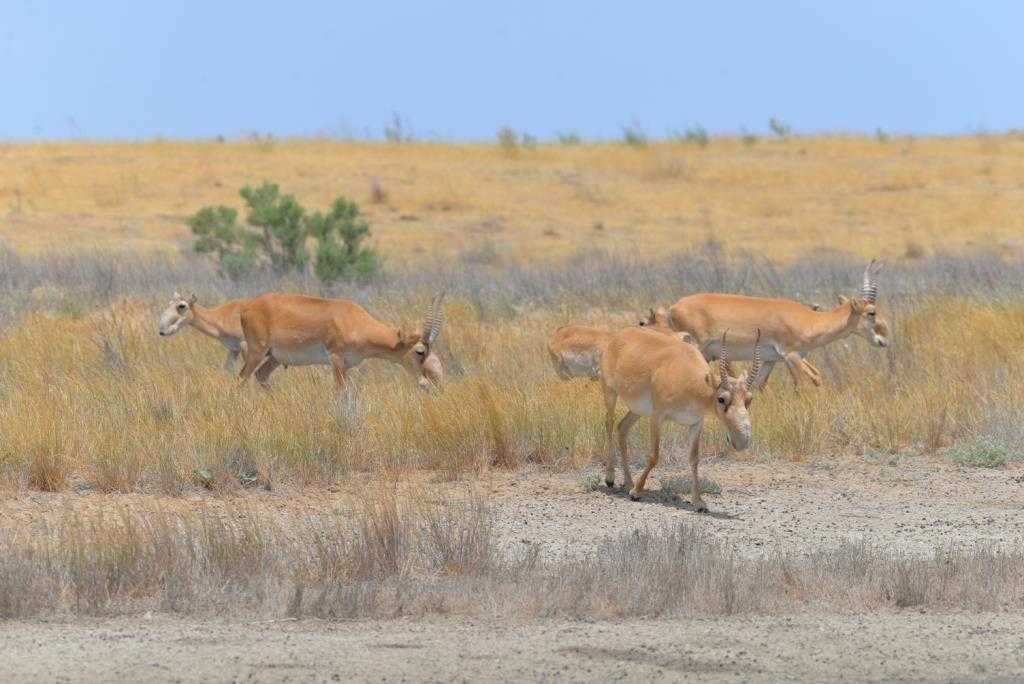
915, 505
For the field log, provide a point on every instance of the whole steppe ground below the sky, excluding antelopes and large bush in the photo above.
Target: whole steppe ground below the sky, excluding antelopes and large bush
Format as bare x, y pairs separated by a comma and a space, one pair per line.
156, 512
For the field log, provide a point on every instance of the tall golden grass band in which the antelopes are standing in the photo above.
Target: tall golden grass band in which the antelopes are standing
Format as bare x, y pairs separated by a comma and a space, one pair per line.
100, 402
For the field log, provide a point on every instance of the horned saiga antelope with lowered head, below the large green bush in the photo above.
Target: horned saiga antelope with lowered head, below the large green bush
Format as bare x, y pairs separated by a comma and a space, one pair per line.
296, 330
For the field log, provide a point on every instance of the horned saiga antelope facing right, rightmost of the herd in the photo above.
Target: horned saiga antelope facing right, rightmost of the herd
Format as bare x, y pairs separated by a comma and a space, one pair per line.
790, 329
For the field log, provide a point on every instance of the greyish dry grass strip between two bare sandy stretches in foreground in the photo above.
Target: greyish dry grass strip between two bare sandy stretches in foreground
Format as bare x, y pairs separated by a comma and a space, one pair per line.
392, 559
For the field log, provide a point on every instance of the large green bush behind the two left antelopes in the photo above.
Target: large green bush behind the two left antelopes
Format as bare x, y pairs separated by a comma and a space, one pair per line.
276, 234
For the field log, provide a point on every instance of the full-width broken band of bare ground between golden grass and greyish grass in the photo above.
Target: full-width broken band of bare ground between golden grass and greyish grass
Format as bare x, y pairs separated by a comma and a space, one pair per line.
914, 504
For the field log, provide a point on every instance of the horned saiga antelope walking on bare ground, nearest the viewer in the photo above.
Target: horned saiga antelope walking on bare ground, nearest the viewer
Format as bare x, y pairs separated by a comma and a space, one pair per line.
660, 376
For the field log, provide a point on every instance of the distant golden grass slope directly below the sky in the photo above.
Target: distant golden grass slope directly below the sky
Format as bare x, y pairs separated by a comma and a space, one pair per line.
781, 199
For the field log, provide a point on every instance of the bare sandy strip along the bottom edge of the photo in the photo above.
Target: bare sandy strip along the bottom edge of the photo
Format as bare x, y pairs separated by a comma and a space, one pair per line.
908, 647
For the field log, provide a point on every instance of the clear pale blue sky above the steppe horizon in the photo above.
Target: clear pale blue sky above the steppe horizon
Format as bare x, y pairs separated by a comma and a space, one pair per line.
463, 69
